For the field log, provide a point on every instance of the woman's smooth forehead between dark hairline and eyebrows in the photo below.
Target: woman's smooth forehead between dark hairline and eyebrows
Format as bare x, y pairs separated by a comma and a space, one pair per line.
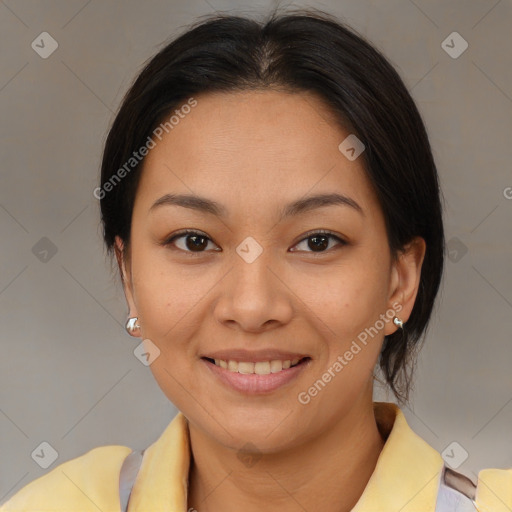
259, 144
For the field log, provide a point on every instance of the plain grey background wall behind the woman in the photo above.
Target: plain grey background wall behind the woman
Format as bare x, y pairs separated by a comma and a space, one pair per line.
68, 374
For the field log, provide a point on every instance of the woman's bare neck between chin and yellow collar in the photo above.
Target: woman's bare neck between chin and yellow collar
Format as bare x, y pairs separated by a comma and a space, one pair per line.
328, 473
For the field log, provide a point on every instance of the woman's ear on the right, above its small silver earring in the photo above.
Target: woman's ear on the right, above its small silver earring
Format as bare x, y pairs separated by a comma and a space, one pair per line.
405, 280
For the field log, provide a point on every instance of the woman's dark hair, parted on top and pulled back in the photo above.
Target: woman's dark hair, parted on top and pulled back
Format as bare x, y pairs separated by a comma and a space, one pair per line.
304, 50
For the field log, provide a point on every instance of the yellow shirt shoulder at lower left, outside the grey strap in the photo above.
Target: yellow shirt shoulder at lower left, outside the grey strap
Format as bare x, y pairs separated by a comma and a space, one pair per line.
88, 482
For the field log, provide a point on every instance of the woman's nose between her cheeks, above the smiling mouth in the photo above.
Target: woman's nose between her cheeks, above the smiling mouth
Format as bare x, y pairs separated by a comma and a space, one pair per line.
253, 297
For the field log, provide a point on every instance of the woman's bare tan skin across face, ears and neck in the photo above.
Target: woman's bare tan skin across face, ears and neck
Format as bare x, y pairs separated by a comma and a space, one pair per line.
254, 152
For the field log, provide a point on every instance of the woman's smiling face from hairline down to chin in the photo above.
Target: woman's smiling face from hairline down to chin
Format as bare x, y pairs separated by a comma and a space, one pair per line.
252, 287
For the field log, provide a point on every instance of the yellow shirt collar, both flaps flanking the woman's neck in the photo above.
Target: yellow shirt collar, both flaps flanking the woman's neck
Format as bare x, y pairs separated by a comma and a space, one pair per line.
406, 477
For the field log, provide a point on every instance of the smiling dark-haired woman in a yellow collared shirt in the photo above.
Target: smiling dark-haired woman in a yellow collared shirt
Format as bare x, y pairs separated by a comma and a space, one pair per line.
271, 197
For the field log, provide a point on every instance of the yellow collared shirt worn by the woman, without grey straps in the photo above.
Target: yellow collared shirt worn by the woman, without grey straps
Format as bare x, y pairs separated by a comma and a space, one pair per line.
406, 477
